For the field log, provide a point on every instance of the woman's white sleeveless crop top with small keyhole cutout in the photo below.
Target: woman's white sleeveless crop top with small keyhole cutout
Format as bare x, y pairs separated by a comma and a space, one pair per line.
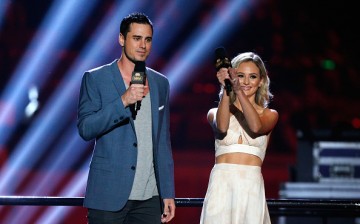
255, 146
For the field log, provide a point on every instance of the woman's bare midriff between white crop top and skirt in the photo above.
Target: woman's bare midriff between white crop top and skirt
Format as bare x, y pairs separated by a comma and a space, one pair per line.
239, 158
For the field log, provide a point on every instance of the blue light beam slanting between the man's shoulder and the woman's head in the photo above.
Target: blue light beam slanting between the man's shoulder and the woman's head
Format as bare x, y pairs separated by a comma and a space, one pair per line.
196, 48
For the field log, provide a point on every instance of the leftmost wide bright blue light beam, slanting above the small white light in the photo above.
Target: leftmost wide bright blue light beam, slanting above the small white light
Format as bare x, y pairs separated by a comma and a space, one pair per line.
56, 32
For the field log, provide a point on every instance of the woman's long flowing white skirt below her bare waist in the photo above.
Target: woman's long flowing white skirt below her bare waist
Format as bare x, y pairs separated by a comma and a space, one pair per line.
235, 195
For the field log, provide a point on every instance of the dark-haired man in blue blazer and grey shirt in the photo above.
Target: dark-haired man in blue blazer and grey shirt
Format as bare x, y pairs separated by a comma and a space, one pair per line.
131, 176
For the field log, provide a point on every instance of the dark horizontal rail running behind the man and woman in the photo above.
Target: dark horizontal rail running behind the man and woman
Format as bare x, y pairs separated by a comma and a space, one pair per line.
277, 207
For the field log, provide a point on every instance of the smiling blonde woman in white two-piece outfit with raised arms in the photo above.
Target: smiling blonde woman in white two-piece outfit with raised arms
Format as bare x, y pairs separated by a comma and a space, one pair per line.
242, 124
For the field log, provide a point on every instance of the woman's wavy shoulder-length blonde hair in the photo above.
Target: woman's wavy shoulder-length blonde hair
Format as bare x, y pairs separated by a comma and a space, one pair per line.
263, 94
